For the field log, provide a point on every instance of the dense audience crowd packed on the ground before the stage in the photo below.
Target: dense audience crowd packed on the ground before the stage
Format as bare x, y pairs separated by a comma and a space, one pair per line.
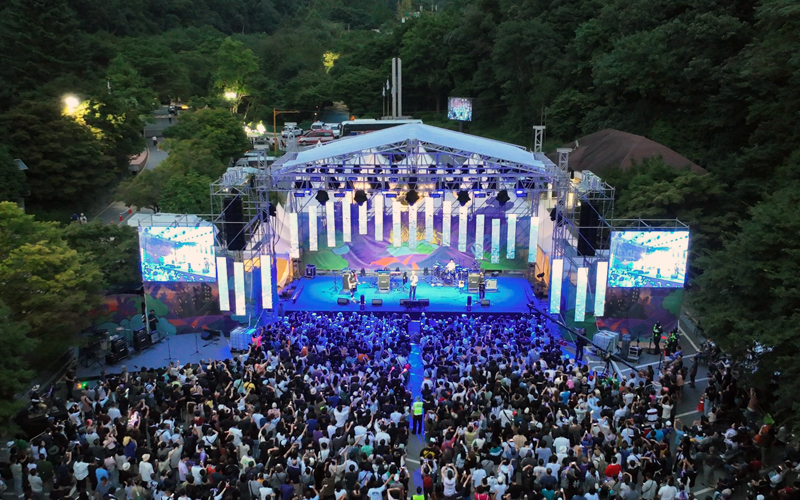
322, 407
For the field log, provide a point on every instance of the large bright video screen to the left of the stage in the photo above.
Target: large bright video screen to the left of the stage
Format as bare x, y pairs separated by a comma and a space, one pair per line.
178, 254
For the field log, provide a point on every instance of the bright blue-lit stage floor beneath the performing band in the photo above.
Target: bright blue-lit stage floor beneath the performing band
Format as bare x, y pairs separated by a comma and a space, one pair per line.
319, 294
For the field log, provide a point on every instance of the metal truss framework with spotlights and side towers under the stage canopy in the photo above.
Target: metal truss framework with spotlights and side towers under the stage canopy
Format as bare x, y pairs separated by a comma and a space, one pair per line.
426, 168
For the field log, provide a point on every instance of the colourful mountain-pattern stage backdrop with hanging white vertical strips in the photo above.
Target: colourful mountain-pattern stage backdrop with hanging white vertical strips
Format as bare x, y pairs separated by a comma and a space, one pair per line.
384, 233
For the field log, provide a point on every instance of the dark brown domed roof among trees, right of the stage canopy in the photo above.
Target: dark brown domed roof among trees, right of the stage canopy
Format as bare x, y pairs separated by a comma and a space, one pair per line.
613, 148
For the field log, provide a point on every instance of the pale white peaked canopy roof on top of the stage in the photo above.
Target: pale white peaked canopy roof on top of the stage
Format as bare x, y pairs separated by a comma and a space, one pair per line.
456, 143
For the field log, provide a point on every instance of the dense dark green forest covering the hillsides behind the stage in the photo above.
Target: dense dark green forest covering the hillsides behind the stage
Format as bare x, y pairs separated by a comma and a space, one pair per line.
717, 81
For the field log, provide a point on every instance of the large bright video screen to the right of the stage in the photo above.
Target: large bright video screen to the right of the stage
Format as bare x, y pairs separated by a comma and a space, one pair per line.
648, 259
